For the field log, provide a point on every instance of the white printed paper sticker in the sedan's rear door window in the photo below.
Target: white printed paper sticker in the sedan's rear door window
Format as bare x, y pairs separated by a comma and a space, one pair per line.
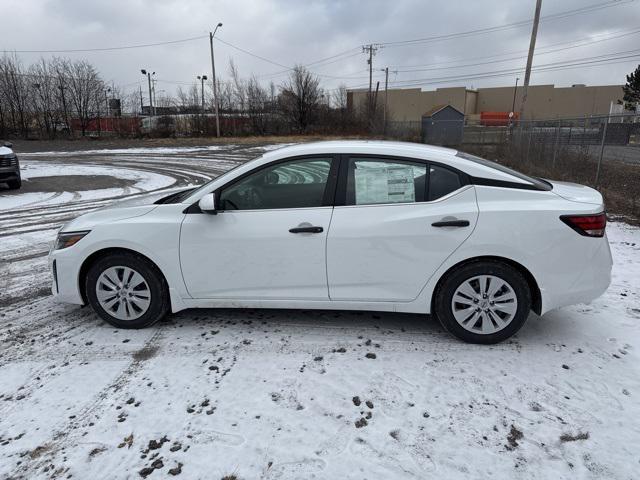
384, 185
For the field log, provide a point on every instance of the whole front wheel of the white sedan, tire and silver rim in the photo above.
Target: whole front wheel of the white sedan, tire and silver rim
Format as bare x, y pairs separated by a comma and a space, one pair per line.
127, 290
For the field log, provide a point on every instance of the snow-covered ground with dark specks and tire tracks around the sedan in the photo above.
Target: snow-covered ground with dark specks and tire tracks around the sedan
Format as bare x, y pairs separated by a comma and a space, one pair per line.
283, 394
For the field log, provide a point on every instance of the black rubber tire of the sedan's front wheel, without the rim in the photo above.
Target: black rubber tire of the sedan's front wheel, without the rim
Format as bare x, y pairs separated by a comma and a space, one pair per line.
159, 304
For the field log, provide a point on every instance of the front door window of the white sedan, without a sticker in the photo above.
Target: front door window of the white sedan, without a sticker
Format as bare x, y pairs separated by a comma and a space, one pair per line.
299, 183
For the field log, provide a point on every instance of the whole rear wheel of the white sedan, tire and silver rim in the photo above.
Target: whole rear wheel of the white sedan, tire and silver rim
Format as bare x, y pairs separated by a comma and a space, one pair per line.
483, 302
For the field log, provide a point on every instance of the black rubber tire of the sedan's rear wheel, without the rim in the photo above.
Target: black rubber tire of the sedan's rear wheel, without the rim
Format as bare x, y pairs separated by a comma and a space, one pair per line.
444, 296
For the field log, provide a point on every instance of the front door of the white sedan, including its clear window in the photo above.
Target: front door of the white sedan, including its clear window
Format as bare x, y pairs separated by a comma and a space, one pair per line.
269, 239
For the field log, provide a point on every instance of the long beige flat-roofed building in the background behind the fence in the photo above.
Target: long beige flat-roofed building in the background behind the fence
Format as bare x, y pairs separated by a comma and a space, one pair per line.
543, 101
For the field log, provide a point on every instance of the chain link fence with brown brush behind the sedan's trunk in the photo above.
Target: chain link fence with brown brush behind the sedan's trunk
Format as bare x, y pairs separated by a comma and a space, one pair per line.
599, 151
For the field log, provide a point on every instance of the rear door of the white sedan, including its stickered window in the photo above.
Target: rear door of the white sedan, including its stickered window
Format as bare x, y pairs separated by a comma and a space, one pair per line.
394, 223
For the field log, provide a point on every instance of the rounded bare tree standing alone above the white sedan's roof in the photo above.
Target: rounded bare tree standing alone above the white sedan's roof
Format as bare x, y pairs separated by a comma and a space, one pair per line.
300, 98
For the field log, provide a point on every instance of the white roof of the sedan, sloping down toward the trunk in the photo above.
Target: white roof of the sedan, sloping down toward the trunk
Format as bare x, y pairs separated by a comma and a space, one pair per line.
442, 155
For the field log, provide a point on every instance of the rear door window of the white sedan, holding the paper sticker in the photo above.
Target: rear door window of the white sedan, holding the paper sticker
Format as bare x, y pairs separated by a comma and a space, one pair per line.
376, 181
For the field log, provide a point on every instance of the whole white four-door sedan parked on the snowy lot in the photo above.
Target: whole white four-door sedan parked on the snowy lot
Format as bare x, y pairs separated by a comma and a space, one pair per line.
347, 225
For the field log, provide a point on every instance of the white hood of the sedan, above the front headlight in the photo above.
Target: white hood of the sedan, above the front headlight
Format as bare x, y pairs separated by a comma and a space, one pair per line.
121, 210
